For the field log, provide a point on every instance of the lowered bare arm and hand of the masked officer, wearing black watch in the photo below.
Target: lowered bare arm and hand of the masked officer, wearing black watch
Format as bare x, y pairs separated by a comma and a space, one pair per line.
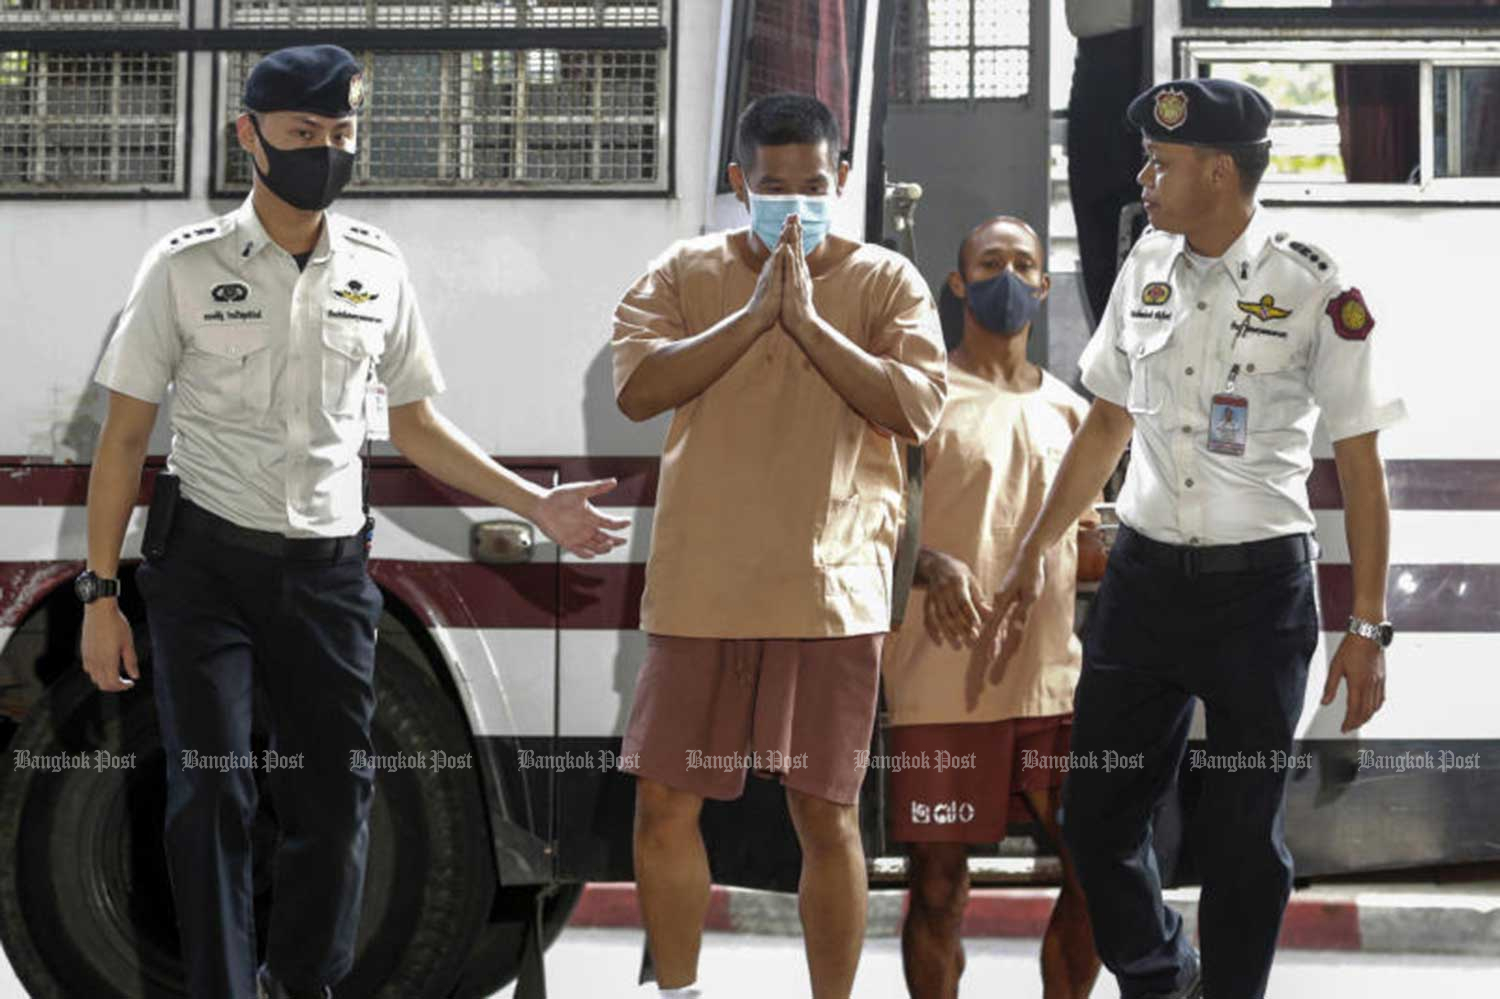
115, 482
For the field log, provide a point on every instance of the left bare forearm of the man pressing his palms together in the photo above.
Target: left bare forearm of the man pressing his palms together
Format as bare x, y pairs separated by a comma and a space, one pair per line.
683, 370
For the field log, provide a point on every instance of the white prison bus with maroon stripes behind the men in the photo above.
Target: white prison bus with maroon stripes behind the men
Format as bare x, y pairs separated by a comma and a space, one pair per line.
530, 158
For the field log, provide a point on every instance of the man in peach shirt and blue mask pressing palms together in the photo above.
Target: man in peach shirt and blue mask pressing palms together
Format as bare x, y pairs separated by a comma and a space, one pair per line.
796, 362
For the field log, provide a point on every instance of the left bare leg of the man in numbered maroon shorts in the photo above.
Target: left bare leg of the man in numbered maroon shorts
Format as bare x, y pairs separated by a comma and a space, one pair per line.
932, 947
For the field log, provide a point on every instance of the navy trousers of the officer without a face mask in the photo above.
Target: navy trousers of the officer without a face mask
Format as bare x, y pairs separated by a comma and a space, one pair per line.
1159, 638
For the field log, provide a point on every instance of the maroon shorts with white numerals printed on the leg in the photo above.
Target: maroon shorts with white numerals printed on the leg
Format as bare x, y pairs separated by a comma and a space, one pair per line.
955, 784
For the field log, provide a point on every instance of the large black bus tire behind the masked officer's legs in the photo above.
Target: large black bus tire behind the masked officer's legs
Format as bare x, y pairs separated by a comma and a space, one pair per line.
86, 907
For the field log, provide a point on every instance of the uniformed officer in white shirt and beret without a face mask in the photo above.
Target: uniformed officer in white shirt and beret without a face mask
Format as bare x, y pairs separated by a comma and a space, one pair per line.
1223, 341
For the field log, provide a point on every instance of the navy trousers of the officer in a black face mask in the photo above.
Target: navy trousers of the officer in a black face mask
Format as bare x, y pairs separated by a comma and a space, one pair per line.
223, 622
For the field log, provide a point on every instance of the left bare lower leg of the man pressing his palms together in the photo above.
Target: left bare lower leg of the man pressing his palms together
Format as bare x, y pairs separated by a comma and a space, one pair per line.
671, 880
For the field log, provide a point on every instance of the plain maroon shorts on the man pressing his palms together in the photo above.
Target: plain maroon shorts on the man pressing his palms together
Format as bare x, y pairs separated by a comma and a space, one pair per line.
802, 710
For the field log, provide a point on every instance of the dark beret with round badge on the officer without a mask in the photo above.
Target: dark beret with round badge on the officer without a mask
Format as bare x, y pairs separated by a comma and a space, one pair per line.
1202, 113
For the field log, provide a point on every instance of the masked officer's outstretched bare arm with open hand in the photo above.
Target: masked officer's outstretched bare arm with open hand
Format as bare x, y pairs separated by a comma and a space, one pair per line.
446, 454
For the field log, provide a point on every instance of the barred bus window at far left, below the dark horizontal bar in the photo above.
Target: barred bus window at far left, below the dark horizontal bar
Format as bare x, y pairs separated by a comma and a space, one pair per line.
97, 122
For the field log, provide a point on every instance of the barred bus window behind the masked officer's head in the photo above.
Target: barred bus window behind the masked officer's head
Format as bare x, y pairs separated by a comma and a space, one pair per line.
488, 121
